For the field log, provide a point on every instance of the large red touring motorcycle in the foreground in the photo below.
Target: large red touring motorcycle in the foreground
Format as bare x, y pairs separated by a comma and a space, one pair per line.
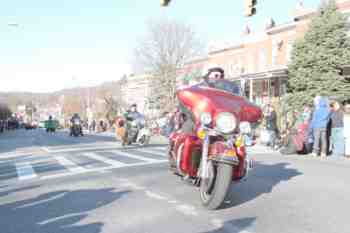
213, 156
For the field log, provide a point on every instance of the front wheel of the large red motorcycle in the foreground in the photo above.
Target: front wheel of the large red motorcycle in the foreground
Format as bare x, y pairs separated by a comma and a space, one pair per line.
214, 189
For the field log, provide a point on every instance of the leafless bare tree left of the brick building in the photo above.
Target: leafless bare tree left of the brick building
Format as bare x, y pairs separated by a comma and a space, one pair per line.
165, 48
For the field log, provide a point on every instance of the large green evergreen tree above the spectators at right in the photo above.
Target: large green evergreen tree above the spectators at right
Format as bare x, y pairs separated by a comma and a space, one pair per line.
317, 58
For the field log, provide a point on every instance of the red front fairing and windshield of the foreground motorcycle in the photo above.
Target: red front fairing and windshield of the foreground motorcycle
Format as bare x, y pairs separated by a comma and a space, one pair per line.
219, 96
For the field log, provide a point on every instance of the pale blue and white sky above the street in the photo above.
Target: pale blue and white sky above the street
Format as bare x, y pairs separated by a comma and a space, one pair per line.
68, 43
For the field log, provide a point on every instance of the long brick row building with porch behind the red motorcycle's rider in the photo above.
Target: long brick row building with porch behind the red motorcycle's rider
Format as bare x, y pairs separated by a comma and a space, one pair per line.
258, 60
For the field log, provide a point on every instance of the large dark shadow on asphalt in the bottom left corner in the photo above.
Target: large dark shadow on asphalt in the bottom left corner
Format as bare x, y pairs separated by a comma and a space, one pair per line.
57, 212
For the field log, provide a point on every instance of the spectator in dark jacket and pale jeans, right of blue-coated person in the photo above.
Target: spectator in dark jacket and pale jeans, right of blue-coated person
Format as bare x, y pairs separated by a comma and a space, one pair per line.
337, 130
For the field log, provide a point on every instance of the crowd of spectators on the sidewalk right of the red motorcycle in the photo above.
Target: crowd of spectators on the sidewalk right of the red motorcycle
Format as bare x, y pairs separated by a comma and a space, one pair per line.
320, 130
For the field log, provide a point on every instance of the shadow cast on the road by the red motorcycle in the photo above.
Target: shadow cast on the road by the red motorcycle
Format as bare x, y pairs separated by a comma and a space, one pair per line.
262, 179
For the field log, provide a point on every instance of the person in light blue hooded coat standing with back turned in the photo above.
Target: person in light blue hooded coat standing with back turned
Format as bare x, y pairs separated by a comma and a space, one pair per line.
319, 122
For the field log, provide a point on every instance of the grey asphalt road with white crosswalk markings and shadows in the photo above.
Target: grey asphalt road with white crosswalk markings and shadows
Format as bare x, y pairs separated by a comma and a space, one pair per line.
57, 184
